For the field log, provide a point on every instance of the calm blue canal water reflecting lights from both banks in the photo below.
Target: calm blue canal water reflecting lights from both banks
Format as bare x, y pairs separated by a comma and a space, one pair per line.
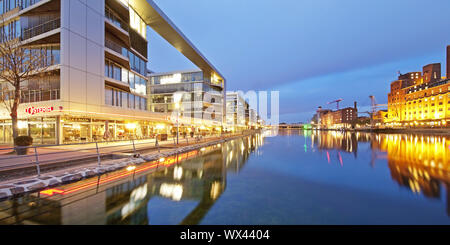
295, 177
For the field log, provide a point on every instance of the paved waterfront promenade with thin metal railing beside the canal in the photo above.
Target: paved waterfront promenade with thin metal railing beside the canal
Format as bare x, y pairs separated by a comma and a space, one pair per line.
53, 154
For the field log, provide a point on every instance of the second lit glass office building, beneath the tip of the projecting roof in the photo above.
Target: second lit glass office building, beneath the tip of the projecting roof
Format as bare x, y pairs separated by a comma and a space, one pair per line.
201, 98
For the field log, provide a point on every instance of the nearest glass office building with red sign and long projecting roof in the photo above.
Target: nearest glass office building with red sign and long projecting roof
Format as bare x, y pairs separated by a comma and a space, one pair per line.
96, 86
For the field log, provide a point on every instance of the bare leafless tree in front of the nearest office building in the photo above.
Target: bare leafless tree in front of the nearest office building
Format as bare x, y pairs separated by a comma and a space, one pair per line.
18, 63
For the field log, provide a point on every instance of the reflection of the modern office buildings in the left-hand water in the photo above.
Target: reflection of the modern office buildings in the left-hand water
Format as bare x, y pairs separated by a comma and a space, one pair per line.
124, 197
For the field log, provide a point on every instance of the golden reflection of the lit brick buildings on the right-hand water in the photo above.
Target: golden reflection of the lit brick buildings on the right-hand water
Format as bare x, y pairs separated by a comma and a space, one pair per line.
419, 163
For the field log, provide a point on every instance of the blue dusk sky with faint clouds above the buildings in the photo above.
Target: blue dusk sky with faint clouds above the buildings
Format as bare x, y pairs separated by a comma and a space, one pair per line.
312, 51
